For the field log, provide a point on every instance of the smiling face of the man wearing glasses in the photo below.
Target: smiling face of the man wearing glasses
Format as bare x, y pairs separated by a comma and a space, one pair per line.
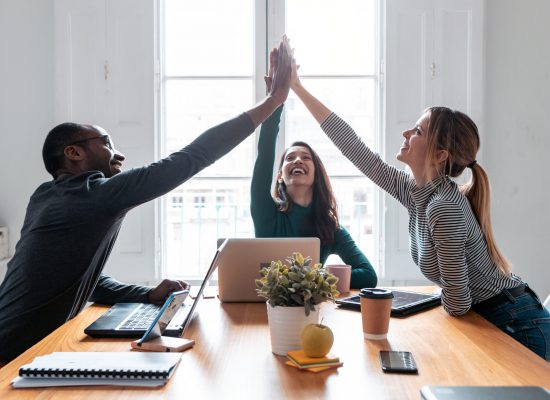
101, 154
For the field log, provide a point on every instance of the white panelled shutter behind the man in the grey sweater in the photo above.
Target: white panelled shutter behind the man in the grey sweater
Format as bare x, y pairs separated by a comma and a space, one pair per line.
117, 36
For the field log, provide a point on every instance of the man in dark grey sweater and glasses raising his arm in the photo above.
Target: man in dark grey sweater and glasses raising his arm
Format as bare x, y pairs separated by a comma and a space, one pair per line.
72, 221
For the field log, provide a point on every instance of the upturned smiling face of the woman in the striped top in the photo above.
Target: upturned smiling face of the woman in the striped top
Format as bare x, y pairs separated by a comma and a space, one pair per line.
414, 149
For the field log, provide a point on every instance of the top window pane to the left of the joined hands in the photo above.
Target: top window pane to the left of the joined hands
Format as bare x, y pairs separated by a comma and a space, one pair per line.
208, 37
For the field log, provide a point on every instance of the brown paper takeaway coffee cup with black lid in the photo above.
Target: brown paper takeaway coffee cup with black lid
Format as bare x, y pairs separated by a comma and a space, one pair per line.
375, 312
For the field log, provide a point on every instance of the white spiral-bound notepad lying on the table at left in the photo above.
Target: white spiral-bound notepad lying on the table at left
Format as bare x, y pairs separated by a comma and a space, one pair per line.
98, 368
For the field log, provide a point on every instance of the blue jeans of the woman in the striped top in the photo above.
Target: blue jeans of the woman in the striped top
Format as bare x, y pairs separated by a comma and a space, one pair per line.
525, 319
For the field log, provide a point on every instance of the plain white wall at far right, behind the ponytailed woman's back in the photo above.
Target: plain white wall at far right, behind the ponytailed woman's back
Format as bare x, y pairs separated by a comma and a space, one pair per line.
517, 137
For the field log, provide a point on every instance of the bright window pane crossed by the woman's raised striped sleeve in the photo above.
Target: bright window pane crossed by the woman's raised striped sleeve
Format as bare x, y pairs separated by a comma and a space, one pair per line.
352, 99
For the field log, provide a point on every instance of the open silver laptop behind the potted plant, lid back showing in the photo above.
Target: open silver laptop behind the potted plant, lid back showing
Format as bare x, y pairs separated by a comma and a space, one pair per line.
241, 260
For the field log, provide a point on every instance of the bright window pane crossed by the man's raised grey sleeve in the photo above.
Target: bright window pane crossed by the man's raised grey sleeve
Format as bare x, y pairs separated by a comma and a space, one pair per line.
193, 106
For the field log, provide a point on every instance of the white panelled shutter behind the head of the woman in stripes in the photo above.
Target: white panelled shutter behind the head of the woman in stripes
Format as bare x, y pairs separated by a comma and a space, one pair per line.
434, 56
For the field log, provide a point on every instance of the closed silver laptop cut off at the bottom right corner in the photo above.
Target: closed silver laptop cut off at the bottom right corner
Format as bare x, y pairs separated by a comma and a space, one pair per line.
484, 393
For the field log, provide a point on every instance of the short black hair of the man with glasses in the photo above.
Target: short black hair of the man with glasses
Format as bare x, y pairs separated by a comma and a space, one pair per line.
57, 139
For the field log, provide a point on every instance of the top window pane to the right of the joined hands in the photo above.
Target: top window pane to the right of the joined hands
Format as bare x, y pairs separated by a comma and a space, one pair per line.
333, 37
